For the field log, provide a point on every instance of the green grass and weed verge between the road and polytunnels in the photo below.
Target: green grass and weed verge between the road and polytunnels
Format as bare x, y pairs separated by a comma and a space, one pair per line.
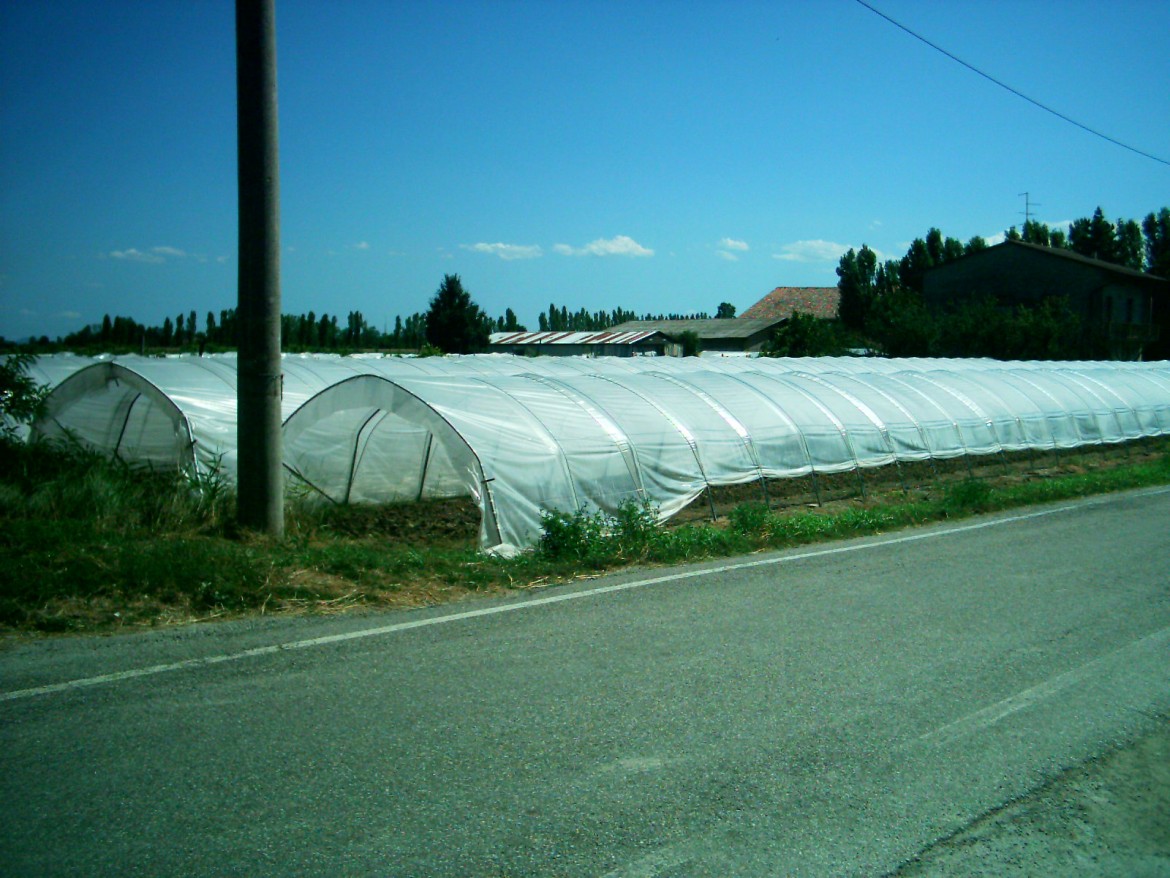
88, 546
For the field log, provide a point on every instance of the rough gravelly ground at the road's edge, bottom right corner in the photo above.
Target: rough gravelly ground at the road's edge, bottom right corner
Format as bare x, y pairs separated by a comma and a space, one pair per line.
1106, 819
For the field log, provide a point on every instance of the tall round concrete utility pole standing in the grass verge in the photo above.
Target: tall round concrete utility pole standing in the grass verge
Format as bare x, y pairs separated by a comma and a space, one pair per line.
261, 484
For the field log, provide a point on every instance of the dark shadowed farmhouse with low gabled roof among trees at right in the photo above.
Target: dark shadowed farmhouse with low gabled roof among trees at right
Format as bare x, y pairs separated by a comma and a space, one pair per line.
1130, 308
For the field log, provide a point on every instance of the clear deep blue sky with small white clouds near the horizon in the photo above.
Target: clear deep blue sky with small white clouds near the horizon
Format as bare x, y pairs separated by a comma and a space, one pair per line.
656, 156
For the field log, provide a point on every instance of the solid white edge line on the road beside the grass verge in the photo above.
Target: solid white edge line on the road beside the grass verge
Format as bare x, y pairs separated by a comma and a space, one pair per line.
526, 605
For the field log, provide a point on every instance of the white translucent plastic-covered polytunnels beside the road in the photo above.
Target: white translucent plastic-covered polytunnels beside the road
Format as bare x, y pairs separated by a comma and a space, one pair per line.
524, 436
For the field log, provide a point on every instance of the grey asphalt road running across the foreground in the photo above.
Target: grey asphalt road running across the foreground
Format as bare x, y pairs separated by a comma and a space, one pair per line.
831, 711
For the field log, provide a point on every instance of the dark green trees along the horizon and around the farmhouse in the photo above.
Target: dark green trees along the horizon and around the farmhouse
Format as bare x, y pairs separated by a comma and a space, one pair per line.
882, 311
